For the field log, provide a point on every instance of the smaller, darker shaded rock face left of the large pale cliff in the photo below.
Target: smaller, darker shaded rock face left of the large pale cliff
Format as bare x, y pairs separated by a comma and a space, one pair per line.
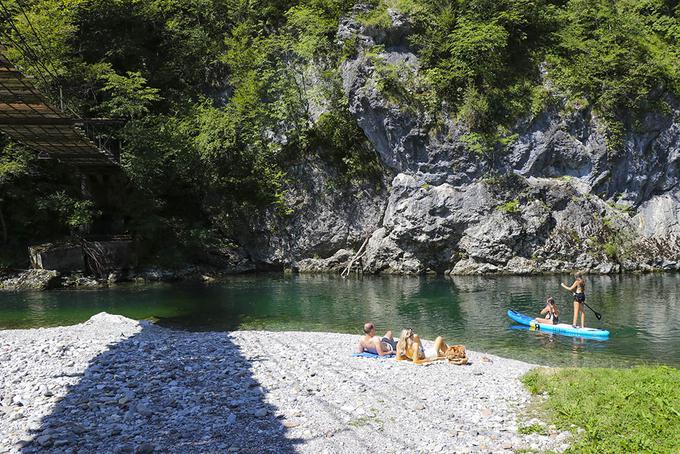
324, 216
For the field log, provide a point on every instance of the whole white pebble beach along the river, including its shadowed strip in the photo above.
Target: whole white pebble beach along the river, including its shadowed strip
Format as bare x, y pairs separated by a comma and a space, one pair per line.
116, 385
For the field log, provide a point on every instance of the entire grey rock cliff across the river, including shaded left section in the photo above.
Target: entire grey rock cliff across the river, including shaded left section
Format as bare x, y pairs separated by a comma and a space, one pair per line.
559, 197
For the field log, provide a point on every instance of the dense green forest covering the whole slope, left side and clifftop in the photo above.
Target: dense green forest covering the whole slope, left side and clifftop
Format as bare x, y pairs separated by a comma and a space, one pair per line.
221, 97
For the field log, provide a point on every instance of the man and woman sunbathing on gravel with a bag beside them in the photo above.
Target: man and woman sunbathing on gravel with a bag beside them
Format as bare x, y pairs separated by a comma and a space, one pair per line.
408, 347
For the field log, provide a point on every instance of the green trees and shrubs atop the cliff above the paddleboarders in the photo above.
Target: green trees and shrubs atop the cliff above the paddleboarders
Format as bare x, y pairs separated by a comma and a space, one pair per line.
620, 56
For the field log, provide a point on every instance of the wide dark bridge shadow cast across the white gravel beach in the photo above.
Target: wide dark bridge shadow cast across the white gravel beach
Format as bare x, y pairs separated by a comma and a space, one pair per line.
165, 391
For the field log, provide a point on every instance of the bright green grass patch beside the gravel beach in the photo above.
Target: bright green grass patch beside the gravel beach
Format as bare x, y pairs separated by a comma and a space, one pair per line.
621, 410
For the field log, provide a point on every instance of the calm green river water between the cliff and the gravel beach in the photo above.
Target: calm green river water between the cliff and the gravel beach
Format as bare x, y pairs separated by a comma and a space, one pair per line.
642, 312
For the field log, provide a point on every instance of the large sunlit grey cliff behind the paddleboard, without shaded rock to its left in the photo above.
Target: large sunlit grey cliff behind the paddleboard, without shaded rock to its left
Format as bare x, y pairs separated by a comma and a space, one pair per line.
565, 198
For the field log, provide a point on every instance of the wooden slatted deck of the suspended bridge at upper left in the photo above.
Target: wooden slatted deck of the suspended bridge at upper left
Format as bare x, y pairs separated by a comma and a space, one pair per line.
28, 118
